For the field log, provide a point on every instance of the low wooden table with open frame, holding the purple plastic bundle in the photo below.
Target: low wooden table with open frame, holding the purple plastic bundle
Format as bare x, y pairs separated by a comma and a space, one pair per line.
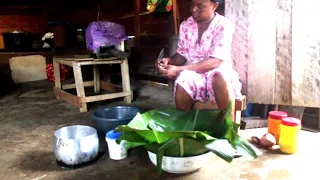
80, 100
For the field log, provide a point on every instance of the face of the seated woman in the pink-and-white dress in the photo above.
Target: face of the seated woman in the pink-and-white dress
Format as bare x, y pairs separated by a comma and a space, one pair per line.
203, 10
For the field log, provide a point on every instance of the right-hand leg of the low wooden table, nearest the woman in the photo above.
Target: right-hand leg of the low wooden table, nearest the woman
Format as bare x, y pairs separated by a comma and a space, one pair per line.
126, 80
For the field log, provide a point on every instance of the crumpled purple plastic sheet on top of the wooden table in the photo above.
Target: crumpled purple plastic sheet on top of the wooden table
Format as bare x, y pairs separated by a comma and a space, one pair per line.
104, 33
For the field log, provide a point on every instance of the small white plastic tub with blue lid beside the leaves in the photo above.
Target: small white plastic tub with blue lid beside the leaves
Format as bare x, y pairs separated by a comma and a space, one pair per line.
116, 151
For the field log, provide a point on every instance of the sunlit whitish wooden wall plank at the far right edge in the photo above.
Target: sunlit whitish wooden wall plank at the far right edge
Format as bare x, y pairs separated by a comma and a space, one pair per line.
306, 54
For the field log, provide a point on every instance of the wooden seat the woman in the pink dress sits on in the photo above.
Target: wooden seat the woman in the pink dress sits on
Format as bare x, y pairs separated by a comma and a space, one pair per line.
240, 105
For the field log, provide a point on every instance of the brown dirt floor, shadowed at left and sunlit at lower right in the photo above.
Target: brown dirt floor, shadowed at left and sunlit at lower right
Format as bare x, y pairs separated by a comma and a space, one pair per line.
31, 114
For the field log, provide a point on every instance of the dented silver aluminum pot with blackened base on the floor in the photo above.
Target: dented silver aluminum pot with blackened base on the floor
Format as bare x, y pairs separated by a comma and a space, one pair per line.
74, 145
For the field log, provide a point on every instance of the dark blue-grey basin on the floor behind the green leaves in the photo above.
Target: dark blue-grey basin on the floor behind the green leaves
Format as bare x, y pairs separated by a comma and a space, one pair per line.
108, 118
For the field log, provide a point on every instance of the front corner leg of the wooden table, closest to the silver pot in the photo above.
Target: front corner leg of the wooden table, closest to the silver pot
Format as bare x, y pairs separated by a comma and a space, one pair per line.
79, 84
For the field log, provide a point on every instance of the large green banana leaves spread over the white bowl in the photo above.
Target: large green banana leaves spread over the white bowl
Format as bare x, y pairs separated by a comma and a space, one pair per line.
174, 133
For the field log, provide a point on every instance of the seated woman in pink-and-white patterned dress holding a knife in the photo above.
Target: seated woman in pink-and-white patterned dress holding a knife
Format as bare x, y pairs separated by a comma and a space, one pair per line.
202, 65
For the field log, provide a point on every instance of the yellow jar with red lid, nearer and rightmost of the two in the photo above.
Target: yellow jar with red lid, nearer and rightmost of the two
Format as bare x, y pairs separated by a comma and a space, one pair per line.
290, 128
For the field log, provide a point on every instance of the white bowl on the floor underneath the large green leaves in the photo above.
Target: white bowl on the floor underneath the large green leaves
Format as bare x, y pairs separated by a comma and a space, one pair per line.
181, 165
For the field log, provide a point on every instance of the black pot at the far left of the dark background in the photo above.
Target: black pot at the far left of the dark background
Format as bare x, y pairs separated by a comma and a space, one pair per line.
16, 40
